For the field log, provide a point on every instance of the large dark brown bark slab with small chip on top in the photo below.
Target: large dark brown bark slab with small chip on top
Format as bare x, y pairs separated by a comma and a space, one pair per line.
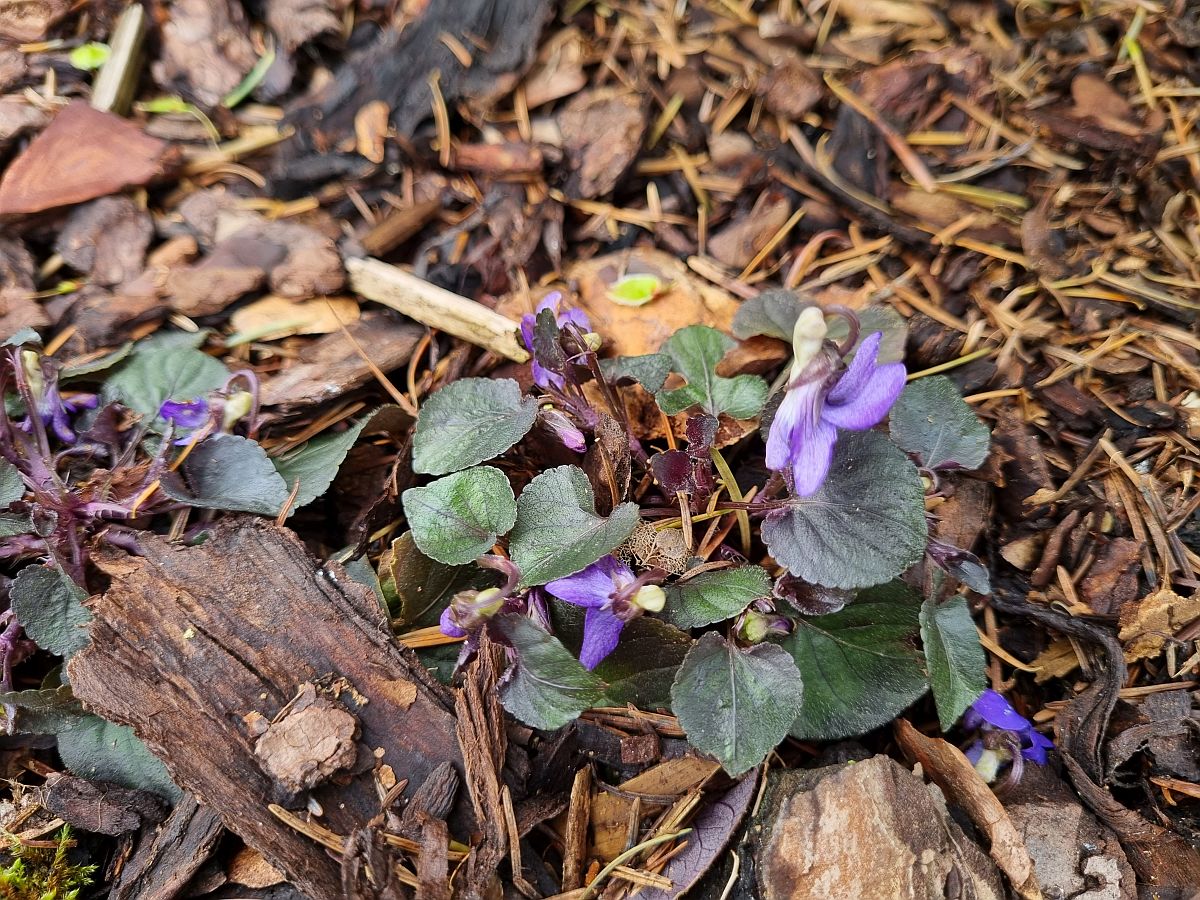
201, 649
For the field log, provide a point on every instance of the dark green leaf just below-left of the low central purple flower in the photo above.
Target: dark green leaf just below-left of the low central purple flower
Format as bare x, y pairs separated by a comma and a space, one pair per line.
547, 687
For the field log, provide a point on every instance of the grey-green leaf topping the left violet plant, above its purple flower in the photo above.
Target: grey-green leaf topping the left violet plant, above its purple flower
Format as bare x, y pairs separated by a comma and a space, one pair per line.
154, 376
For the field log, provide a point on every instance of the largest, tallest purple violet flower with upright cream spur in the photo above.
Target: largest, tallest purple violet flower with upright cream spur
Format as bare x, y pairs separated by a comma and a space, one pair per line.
820, 400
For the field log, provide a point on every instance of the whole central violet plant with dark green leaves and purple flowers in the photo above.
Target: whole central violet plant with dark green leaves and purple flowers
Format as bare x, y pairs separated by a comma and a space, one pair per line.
818, 638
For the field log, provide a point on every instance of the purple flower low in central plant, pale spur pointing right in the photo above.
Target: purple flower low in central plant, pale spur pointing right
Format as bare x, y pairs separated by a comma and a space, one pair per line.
613, 596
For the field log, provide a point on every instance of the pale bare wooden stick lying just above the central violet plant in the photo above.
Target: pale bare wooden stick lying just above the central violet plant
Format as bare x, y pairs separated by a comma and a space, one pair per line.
436, 308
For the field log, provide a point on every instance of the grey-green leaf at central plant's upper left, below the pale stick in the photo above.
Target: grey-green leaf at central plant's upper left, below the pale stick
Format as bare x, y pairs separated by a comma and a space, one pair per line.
470, 422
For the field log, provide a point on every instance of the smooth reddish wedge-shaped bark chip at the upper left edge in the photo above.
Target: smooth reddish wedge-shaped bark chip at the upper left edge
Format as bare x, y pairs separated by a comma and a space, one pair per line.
82, 155
